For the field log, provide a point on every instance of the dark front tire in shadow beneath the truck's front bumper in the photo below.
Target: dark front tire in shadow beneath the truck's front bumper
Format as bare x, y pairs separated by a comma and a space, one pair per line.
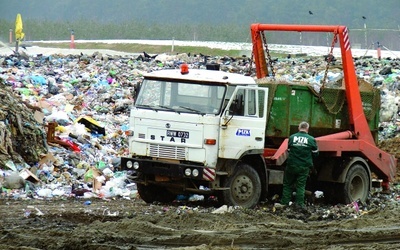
152, 193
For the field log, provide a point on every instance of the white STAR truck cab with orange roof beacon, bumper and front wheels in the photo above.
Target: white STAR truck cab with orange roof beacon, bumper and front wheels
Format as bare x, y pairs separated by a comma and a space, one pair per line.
190, 129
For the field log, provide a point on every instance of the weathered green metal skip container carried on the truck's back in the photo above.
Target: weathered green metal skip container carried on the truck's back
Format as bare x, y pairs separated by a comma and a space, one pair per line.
326, 111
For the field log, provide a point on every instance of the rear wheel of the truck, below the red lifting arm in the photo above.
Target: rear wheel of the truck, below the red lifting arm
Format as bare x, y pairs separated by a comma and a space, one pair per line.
356, 186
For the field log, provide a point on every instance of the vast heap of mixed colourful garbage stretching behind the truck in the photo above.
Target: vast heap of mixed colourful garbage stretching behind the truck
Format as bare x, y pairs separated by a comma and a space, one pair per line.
63, 118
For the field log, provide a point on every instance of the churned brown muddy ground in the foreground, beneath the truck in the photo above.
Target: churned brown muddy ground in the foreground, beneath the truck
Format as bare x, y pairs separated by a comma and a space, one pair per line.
73, 223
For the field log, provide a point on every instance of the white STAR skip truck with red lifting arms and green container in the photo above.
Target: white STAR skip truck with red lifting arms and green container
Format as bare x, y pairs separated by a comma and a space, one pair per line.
221, 134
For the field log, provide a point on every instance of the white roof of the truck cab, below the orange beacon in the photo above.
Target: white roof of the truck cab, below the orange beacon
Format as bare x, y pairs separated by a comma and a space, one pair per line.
202, 75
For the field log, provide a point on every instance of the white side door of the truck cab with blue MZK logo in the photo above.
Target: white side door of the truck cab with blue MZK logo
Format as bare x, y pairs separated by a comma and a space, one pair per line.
243, 122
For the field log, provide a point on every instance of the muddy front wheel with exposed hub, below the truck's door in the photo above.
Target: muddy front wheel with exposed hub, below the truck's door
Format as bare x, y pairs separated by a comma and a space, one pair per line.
244, 187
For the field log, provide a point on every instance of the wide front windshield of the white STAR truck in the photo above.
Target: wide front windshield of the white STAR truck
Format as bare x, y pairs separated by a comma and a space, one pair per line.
181, 97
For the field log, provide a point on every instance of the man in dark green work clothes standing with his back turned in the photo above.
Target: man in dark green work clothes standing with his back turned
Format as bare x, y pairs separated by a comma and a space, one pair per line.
302, 149
